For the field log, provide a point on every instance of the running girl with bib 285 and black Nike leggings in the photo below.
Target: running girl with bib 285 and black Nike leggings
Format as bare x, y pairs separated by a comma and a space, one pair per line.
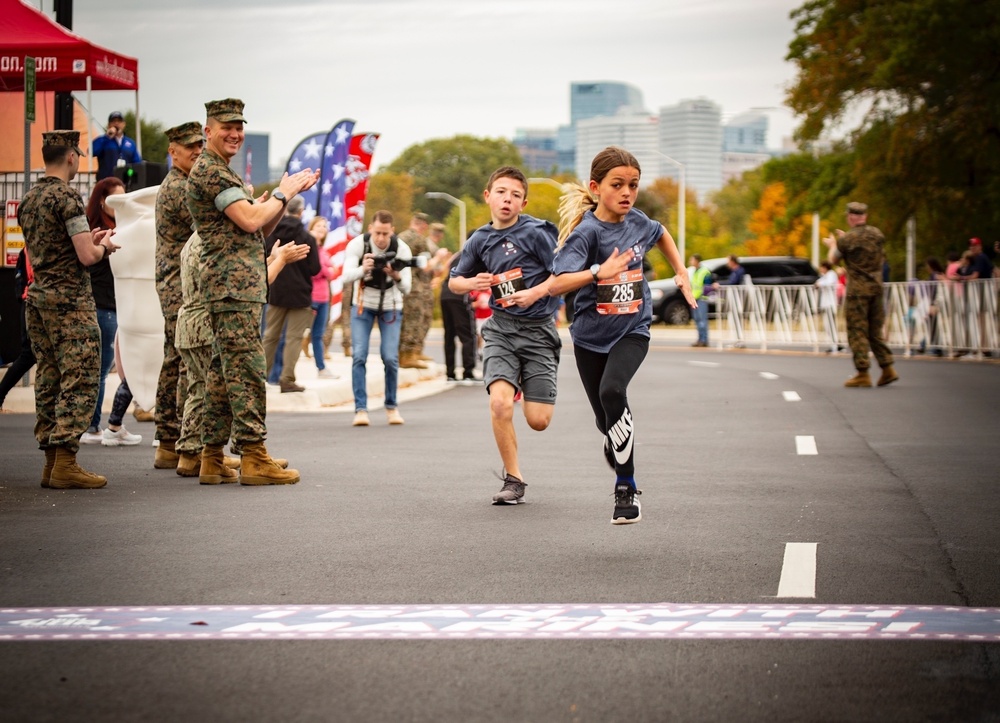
602, 240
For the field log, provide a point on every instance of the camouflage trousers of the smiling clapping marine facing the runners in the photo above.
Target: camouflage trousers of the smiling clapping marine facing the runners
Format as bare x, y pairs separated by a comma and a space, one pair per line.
235, 396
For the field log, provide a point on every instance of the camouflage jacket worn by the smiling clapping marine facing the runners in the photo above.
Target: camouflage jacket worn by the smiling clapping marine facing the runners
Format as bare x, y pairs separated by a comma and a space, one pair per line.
232, 260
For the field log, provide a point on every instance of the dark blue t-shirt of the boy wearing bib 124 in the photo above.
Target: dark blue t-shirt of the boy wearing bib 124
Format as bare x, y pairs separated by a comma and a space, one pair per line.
519, 257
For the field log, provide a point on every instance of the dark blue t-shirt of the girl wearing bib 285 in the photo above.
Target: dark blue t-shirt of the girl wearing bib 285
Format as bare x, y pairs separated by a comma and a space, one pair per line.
614, 308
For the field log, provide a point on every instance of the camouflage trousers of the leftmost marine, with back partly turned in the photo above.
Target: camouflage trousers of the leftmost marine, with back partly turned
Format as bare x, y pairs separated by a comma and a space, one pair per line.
67, 345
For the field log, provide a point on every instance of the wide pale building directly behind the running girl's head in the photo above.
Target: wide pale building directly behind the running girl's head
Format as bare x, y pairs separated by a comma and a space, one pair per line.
631, 128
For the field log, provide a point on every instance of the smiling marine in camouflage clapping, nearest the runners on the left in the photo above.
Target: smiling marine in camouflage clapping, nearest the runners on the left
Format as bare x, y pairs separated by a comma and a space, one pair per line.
232, 225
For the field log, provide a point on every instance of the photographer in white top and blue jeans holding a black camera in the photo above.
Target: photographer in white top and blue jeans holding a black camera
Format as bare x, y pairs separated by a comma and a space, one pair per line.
378, 263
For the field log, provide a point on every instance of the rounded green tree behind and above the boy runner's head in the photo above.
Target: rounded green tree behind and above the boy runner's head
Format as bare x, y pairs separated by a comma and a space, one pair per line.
459, 166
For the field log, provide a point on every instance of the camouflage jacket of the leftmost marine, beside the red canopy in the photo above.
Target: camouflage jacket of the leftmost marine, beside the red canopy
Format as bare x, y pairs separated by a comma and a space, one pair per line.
50, 214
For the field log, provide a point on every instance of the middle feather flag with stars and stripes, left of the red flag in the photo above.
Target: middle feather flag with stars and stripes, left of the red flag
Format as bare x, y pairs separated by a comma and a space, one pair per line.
332, 197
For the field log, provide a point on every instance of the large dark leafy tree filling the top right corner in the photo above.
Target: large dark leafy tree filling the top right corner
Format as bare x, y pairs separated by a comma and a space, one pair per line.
924, 78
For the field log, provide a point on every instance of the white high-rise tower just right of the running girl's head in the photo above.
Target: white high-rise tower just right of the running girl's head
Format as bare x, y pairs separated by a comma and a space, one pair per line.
691, 133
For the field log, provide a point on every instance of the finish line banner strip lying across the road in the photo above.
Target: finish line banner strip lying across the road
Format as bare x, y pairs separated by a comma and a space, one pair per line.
479, 622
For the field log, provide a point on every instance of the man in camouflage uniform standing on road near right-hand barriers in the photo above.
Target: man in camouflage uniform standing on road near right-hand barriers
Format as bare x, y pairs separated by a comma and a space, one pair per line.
862, 250
